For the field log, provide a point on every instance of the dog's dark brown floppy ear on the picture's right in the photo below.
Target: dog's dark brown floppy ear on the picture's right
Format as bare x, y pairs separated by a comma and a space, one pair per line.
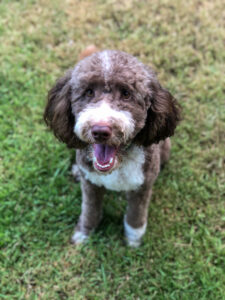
162, 116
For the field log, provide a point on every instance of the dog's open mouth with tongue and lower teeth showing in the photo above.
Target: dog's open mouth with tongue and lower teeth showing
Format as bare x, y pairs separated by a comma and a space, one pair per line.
104, 157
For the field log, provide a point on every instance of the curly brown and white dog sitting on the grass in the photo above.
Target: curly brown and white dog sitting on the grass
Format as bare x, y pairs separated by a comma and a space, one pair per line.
112, 109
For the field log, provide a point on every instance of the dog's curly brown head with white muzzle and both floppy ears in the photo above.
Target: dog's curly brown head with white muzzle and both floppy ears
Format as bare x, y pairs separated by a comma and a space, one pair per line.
110, 100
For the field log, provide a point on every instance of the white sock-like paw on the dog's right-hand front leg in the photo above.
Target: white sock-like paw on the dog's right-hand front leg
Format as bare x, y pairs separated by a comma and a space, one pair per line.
134, 235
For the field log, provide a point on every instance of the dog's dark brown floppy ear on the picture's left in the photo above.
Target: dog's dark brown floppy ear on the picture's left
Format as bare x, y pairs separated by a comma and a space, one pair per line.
58, 114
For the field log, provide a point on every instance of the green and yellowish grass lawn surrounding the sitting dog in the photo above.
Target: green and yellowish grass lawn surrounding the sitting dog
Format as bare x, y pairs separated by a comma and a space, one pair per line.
183, 253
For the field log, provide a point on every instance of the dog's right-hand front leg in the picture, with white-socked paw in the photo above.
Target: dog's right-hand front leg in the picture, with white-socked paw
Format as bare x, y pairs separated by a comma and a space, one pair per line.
135, 220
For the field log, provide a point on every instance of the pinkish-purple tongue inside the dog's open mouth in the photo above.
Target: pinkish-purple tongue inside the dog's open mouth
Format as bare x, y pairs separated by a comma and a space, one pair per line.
104, 153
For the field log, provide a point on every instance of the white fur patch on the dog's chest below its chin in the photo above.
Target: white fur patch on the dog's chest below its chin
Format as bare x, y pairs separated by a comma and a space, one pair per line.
127, 177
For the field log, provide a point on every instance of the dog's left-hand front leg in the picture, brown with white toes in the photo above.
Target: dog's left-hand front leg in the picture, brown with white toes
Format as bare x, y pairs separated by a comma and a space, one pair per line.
91, 212
